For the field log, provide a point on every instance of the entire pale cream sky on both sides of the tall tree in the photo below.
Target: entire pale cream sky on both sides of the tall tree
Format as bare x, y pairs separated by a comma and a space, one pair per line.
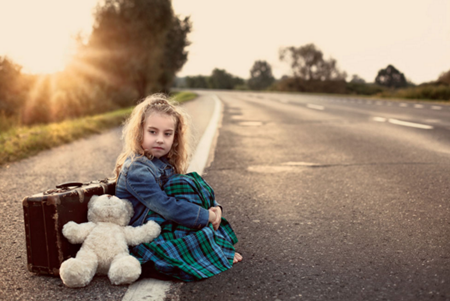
362, 36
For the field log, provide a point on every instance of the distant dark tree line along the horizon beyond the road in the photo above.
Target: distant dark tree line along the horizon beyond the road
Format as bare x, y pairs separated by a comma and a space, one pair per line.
311, 72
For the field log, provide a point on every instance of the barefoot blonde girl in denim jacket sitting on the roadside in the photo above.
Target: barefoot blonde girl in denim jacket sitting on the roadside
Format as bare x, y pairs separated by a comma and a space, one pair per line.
196, 242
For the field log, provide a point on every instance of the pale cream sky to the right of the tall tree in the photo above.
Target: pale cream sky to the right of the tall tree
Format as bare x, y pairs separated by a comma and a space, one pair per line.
364, 36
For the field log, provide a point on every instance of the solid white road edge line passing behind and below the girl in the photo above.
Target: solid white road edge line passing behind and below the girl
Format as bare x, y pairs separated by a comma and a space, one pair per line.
149, 289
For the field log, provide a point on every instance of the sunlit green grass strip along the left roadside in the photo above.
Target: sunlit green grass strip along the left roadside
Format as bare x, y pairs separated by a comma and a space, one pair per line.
22, 142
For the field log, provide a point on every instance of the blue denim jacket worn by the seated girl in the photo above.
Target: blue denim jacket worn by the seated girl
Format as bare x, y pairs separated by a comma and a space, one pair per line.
141, 181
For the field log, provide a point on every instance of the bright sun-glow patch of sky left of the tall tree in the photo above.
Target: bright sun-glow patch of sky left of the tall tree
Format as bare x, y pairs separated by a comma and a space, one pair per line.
39, 35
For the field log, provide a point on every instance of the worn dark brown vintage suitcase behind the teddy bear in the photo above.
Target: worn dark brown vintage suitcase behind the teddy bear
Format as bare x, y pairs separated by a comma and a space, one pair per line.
46, 213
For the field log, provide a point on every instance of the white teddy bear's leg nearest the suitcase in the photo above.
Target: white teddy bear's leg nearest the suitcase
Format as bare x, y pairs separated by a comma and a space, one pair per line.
79, 271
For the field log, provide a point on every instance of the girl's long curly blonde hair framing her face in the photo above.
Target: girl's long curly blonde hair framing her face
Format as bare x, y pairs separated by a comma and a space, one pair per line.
133, 133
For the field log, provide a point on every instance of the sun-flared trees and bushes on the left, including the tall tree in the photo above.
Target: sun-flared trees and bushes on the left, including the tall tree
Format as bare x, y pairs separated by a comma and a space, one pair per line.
135, 48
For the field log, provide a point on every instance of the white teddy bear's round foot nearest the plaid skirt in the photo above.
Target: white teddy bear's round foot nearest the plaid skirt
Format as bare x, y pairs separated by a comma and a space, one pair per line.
124, 269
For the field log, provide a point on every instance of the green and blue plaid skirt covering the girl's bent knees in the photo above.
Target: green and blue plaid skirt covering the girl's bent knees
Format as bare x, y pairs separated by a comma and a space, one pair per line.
185, 253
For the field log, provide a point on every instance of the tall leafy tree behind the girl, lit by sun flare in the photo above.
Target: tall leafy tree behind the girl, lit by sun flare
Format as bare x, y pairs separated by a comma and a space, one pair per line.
137, 44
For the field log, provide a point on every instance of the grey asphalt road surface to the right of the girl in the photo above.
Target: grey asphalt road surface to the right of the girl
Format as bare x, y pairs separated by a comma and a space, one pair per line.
332, 199
